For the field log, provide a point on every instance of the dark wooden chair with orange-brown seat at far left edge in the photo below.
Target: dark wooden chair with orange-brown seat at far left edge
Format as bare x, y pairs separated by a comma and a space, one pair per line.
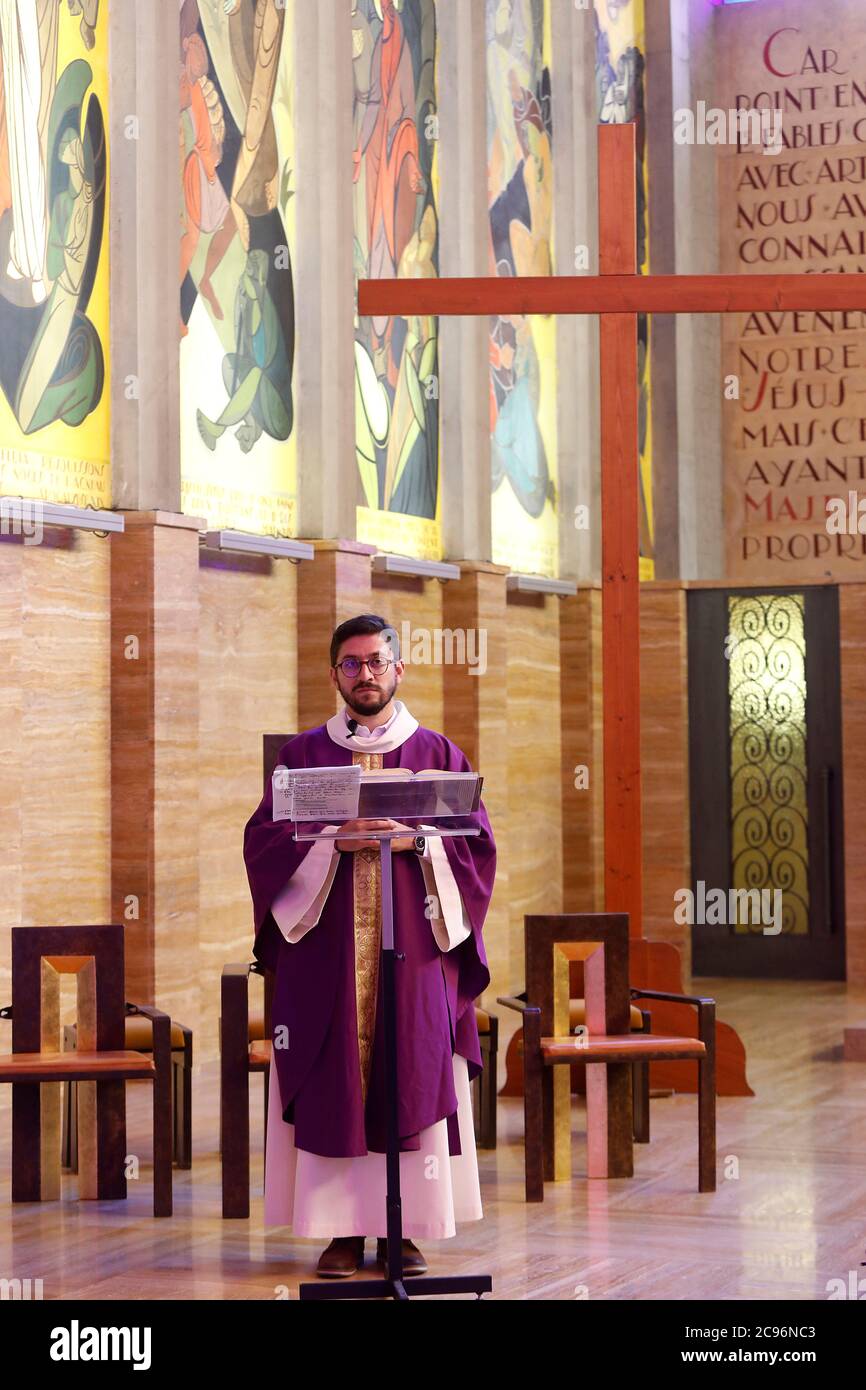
101, 1067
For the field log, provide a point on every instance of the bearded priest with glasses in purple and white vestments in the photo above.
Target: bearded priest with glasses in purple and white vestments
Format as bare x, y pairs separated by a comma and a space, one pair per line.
318, 921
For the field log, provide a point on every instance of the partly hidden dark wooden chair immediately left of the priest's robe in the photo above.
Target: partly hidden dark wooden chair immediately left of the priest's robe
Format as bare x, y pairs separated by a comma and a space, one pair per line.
245, 1047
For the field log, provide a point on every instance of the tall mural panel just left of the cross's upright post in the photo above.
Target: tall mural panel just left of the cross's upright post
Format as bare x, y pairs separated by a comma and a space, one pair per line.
523, 350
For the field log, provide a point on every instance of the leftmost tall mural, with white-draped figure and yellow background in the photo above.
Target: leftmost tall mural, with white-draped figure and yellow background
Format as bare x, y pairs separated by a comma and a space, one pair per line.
55, 411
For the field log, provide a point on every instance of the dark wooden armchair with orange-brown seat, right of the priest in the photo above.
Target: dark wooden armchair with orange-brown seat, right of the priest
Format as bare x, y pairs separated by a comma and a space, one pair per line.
608, 1049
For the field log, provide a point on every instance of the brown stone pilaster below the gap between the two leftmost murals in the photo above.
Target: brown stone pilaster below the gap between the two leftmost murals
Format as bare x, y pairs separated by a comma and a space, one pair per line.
155, 757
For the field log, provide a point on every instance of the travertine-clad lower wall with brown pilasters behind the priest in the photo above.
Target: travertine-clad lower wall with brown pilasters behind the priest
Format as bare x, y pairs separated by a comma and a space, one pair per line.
528, 723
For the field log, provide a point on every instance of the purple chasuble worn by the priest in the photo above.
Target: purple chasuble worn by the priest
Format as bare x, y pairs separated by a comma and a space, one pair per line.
315, 995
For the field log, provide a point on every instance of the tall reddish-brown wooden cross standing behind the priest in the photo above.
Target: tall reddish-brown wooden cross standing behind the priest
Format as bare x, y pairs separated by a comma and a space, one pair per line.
618, 295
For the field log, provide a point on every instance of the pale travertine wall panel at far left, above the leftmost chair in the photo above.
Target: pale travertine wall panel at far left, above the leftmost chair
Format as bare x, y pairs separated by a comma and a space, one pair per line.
55, 736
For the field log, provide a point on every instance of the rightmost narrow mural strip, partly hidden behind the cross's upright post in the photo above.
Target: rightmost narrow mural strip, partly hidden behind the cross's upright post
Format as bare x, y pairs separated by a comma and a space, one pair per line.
619, 76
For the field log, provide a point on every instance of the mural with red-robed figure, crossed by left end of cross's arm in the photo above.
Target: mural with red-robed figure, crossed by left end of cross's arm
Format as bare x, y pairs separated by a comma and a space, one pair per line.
397, 234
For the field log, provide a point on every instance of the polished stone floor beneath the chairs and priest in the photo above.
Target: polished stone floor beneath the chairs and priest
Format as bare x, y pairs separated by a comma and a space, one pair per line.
789, 1217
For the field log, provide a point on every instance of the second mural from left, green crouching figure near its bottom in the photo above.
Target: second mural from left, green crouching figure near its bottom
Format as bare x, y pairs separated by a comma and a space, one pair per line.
238, 447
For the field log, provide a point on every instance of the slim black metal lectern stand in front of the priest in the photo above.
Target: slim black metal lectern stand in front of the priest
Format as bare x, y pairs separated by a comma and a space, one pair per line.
395, 1286
